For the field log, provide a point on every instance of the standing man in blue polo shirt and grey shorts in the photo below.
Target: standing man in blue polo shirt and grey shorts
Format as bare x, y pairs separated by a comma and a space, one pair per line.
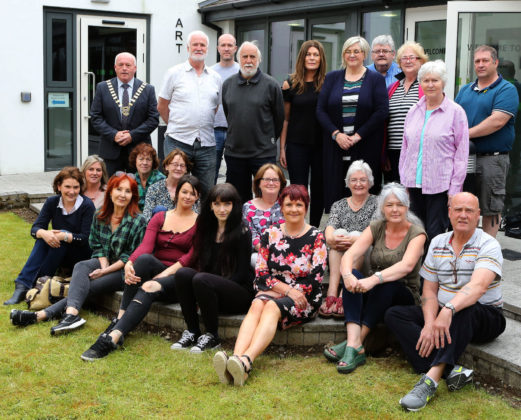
491, 105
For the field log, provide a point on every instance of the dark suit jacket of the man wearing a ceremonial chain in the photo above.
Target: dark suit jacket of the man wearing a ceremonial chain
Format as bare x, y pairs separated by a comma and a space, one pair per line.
106, 117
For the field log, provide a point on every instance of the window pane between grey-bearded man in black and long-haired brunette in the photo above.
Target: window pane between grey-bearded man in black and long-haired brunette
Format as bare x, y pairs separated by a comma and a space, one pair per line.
286, 39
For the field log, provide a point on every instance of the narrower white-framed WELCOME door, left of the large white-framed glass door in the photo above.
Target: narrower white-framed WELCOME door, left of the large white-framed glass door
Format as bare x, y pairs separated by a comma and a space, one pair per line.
427, 26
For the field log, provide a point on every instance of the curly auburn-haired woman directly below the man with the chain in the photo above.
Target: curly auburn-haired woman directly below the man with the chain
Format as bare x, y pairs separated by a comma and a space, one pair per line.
144, 158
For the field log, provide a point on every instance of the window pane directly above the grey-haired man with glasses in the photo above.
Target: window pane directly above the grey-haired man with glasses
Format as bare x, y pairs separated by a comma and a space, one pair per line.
385, 22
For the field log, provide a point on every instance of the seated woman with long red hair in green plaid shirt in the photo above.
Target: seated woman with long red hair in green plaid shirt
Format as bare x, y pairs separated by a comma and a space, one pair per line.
117, 229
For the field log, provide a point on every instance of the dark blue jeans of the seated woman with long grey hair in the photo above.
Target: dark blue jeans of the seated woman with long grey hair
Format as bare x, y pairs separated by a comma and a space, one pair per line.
369, 308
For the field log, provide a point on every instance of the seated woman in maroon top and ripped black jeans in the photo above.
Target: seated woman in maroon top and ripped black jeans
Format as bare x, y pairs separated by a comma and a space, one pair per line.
150, 270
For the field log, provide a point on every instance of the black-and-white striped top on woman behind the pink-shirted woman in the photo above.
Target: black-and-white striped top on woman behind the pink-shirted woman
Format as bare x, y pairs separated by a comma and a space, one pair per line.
399, 105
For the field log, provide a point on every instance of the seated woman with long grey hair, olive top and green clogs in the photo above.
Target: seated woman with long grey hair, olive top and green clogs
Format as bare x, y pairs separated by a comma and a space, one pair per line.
397, 238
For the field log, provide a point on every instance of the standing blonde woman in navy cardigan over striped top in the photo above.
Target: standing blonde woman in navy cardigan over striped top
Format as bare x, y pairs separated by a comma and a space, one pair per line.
352, 108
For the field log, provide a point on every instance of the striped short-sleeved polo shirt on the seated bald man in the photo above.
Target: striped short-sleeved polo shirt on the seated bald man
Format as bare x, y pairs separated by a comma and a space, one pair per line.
453, 272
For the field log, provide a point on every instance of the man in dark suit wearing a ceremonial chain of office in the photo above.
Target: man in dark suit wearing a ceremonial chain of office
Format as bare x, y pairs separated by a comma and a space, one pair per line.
124, 113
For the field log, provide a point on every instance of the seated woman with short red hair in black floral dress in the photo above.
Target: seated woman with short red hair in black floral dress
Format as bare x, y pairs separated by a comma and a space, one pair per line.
289, 271
